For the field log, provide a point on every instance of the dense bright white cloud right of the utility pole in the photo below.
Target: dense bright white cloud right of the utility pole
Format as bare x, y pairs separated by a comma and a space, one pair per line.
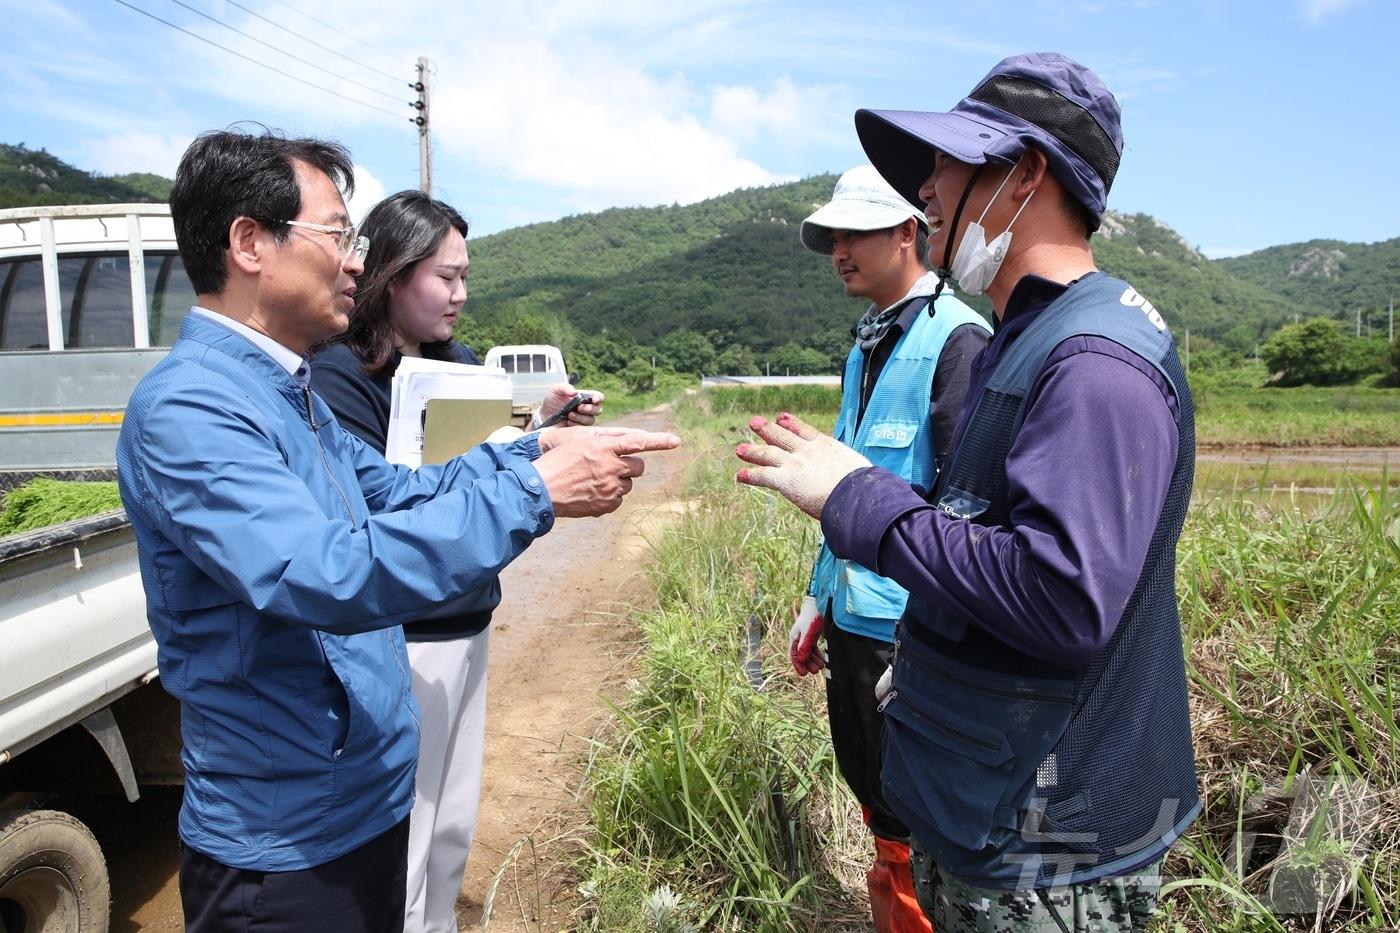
605, 132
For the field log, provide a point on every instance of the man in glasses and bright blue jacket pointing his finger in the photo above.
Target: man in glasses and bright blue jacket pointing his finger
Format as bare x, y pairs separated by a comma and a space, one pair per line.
279, 554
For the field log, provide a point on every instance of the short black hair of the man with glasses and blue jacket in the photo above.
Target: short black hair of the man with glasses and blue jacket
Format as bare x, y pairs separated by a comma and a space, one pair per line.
225, 176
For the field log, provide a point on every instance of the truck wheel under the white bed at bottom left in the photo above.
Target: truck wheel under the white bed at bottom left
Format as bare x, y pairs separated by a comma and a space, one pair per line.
52, 875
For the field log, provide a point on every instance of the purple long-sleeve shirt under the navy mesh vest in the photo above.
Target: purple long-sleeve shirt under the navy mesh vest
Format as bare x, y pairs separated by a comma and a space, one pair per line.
1087, 478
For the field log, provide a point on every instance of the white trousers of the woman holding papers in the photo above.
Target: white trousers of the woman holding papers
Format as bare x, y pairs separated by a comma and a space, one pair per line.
450, 684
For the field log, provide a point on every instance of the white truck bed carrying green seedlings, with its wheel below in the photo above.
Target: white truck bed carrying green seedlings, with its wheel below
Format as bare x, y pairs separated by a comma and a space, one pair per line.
80, 714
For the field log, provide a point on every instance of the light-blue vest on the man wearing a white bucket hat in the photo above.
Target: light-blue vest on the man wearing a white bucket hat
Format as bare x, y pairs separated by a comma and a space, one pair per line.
895, 434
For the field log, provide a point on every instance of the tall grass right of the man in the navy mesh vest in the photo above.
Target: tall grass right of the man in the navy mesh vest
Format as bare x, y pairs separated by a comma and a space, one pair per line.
1293, 624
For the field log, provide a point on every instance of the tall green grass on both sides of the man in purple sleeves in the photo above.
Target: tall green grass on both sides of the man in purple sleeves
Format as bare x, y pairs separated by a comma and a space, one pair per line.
1293, 626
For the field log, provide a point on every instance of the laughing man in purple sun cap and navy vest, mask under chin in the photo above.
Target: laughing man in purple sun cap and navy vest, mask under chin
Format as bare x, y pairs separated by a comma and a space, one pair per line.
1038, 733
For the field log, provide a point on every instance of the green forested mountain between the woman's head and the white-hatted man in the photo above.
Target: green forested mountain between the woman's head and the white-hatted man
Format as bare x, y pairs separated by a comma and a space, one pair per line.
730, 267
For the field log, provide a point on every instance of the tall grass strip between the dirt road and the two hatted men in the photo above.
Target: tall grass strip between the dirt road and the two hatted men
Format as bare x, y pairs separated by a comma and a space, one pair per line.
716, 792
